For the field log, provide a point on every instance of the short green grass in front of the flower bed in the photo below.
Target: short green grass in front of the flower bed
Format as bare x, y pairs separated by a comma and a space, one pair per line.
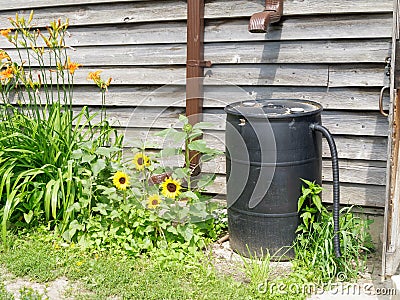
106, 276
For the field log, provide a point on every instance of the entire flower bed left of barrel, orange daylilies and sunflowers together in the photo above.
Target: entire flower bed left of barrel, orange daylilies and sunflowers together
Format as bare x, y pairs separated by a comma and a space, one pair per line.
60, 167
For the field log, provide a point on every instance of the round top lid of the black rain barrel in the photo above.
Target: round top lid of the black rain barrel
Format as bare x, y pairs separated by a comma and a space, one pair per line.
274, 108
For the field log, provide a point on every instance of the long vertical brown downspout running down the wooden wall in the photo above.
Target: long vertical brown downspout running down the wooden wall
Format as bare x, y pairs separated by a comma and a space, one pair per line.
195, 69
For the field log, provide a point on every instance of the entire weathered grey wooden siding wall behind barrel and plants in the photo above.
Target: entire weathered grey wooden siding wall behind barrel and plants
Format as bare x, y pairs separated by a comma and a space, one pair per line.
331, 51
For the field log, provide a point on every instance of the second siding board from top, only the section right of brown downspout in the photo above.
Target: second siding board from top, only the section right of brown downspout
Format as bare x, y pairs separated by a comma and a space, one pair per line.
303, 28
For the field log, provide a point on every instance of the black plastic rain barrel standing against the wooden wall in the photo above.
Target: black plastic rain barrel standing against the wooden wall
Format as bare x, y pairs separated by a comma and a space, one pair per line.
269, 148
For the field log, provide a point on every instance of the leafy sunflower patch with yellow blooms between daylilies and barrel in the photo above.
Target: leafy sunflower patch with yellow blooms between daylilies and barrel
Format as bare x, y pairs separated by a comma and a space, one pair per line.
109, 216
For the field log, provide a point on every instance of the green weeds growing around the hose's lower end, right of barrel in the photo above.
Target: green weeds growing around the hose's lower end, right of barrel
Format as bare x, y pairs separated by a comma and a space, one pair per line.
314, 244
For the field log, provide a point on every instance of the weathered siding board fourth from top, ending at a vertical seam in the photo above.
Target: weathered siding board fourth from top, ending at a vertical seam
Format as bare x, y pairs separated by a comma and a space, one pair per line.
263, 75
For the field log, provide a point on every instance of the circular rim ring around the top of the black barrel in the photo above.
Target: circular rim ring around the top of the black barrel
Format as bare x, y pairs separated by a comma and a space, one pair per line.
230, 109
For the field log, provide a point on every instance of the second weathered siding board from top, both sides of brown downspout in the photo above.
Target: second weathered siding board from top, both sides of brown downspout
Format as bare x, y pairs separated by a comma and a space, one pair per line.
232, 30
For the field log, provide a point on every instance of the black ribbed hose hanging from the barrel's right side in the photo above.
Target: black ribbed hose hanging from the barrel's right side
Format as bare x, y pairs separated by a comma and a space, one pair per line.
336, 193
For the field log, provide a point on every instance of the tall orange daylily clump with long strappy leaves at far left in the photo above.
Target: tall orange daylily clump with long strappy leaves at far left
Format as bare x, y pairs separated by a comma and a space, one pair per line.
39, 129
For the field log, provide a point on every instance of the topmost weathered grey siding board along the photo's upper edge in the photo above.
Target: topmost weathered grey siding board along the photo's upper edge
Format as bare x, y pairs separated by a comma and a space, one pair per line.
151, 11
